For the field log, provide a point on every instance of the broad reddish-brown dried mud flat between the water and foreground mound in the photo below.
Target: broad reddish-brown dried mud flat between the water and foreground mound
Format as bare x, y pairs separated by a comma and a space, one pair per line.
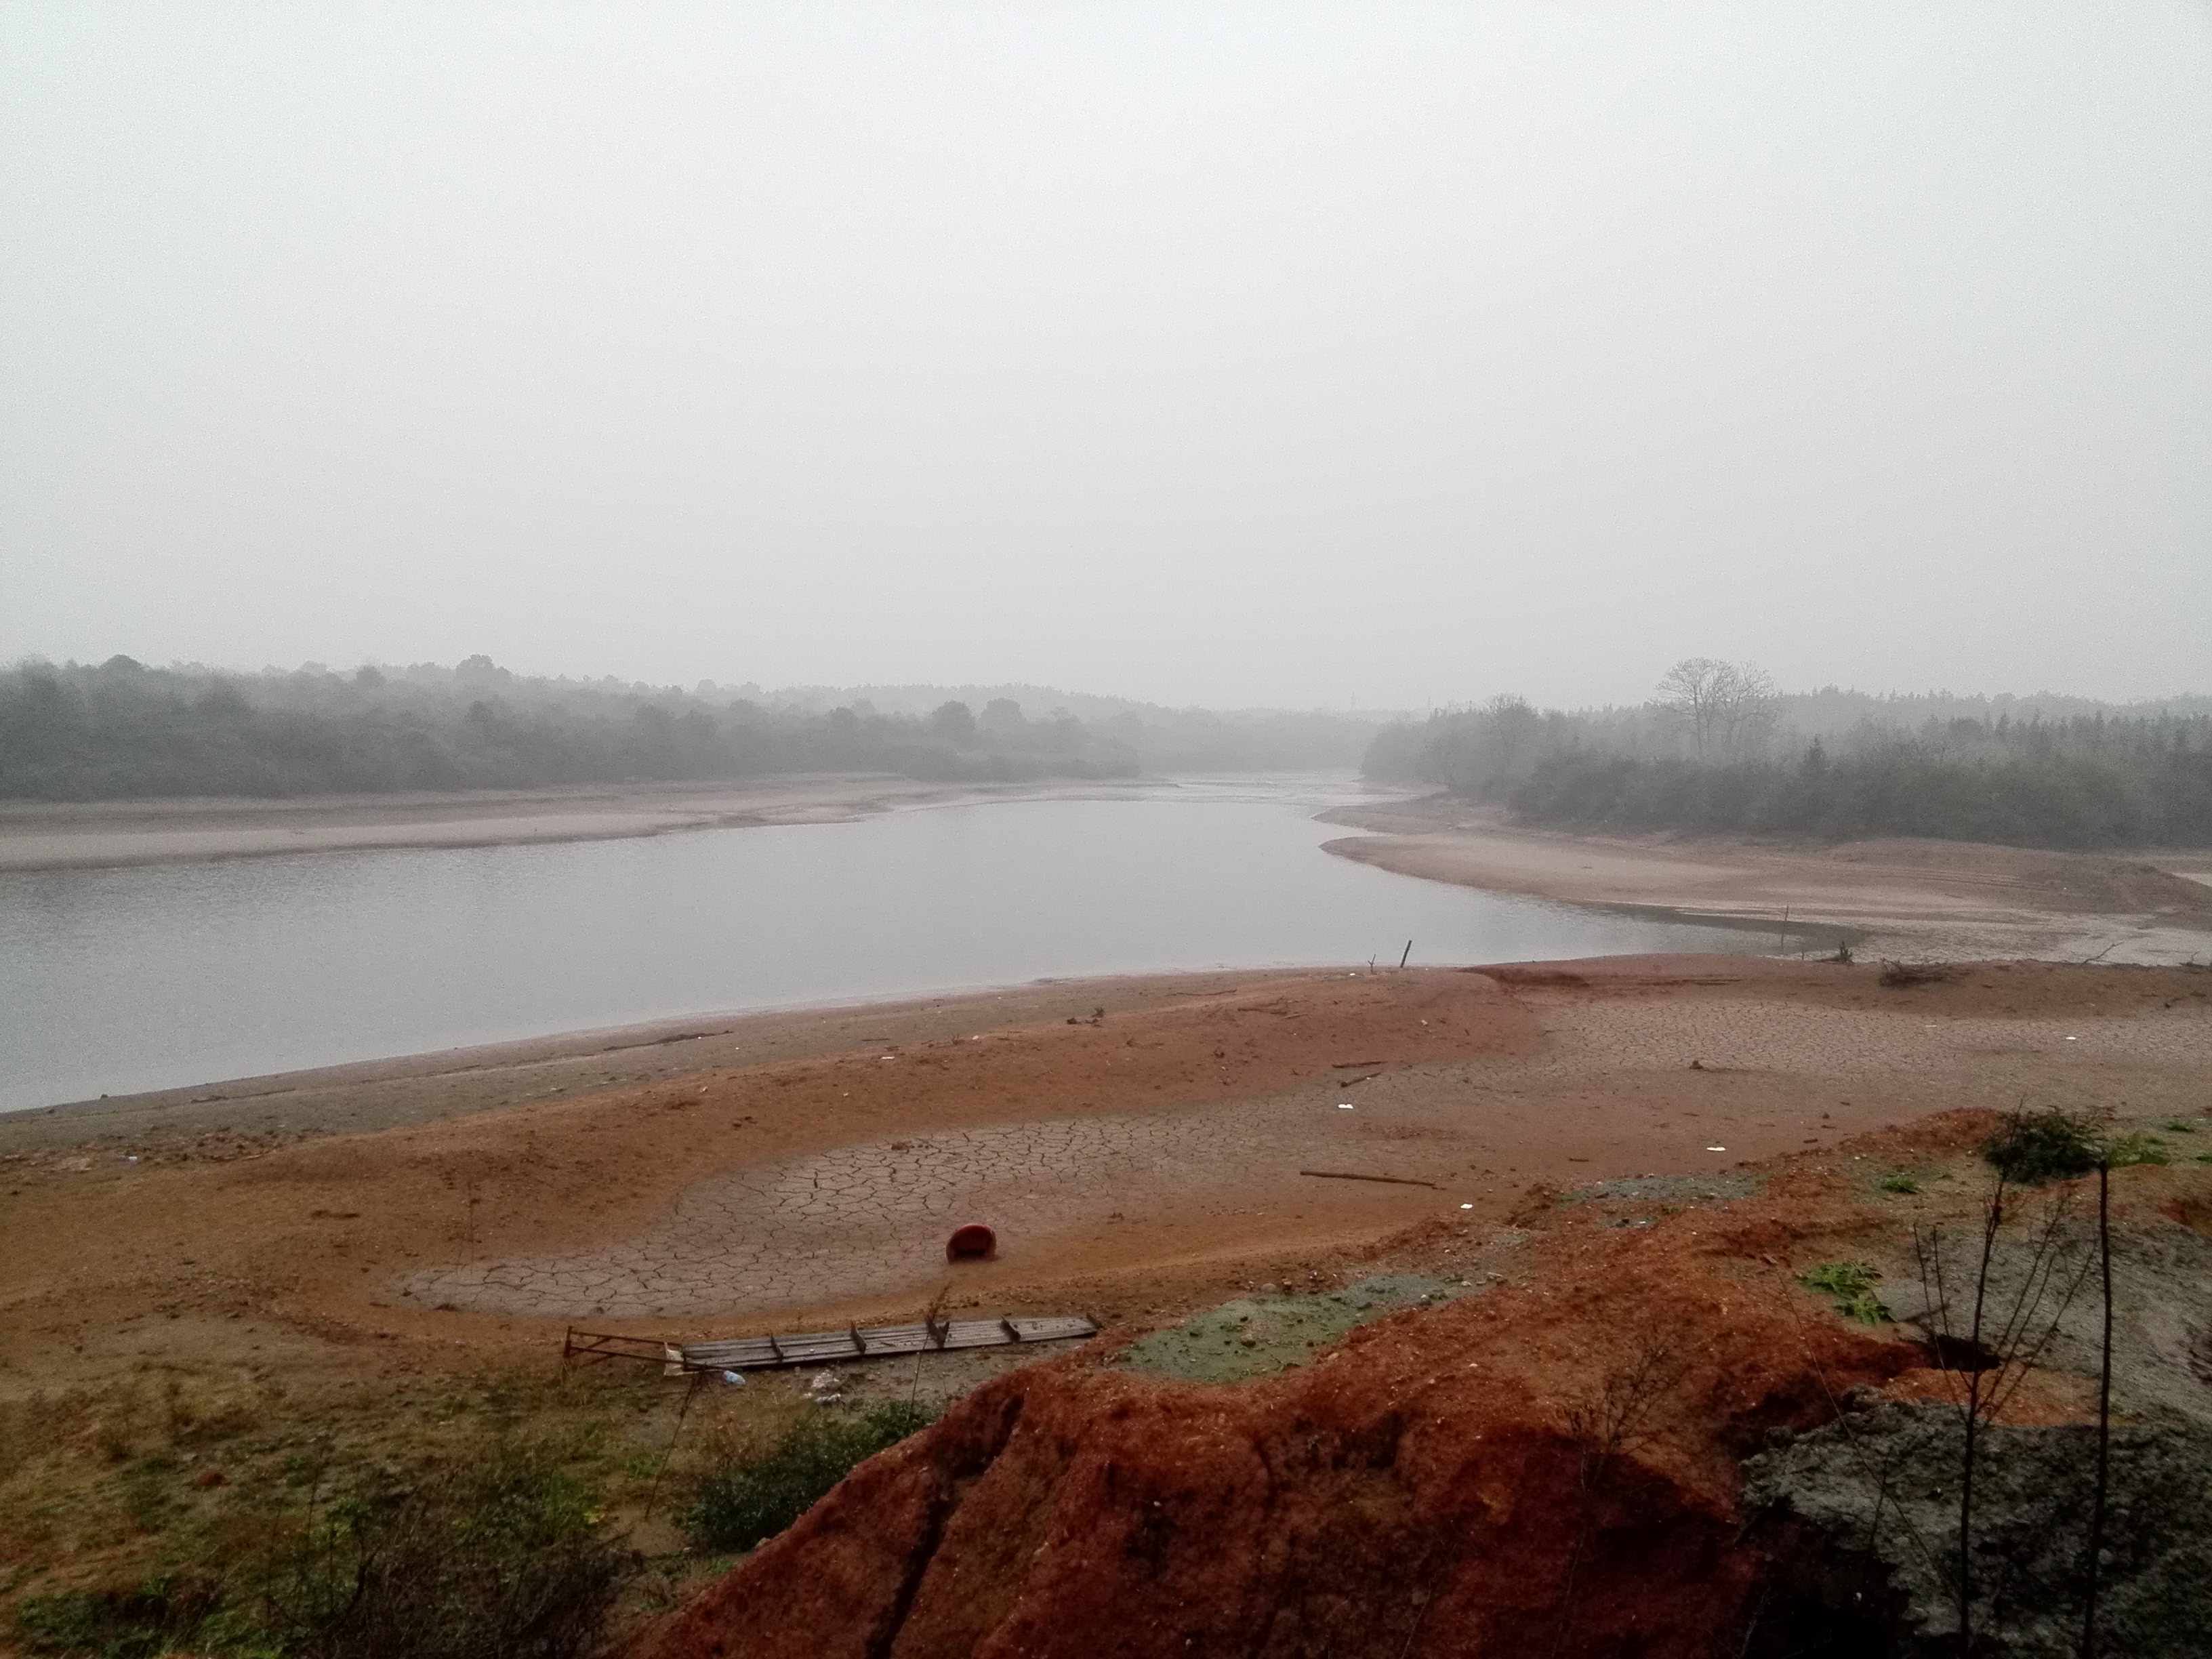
1131, 1158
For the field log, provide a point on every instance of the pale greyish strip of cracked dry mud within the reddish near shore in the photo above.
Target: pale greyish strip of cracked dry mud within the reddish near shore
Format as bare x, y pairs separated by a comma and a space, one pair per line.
873, 1218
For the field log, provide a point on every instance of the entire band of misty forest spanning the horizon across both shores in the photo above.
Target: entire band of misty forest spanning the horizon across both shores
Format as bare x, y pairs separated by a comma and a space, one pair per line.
1715, 751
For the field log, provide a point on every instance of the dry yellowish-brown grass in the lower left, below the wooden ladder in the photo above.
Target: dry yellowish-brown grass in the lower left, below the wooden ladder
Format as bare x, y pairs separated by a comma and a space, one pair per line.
196, 1479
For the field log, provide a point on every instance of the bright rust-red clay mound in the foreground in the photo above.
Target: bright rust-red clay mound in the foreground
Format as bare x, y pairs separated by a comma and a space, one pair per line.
1541, 1470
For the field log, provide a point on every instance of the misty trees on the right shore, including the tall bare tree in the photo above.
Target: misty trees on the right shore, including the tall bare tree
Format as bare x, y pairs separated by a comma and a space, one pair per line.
1722, 753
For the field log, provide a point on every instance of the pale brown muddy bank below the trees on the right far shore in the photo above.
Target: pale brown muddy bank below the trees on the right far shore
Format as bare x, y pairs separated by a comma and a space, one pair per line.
1928, 899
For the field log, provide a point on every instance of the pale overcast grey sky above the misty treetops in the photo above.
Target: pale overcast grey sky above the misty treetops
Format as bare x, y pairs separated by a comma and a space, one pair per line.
1198, 353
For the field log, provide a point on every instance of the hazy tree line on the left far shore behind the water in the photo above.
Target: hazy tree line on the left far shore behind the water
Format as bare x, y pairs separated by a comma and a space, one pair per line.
116, 731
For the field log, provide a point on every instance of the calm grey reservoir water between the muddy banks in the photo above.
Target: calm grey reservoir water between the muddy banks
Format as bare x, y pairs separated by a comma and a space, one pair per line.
118, 981
